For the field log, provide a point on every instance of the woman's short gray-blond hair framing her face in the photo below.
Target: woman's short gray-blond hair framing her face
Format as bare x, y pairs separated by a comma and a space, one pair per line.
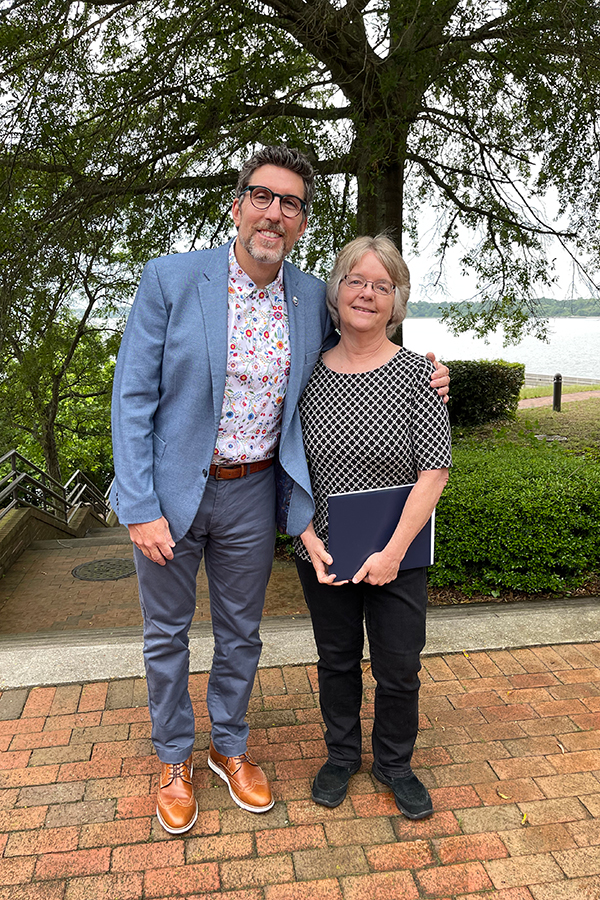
389, 256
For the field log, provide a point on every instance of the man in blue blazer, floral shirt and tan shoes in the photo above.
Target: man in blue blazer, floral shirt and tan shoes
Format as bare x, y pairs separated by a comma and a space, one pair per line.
218, 347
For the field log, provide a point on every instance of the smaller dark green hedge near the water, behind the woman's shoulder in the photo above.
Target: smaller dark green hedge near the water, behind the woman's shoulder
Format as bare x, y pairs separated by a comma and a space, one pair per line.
483, 390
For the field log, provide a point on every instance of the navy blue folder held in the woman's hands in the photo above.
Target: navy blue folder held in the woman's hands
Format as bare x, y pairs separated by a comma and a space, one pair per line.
362, 522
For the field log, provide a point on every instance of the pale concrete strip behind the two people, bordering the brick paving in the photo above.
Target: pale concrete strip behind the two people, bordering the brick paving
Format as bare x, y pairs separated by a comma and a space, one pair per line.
52, 658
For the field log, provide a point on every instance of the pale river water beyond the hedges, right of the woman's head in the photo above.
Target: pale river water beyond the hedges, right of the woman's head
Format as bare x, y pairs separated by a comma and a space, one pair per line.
573, 348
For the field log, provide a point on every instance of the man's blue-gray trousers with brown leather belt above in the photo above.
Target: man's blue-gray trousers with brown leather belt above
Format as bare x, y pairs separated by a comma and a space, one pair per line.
234, 530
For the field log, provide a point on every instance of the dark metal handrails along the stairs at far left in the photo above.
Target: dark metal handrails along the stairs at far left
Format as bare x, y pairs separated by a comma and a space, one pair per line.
45, 492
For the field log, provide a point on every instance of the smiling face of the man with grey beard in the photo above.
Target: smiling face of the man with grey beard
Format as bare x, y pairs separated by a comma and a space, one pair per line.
266, 236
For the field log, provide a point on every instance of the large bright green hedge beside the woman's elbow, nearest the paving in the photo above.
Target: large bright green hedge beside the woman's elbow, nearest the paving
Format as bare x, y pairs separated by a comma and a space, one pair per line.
520, 518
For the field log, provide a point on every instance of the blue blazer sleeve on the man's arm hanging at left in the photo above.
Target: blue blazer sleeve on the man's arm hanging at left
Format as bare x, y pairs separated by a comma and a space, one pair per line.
136, 393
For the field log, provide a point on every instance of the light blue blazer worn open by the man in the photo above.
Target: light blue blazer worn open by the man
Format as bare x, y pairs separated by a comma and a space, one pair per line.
170, 381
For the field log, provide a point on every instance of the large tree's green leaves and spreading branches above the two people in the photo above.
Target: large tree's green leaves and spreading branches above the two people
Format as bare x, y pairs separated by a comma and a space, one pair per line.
125, 122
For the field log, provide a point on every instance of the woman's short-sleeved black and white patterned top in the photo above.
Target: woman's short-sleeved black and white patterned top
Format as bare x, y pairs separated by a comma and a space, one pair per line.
371, 430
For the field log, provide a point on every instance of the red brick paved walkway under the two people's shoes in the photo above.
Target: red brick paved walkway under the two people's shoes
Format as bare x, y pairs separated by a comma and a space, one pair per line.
509, 747
